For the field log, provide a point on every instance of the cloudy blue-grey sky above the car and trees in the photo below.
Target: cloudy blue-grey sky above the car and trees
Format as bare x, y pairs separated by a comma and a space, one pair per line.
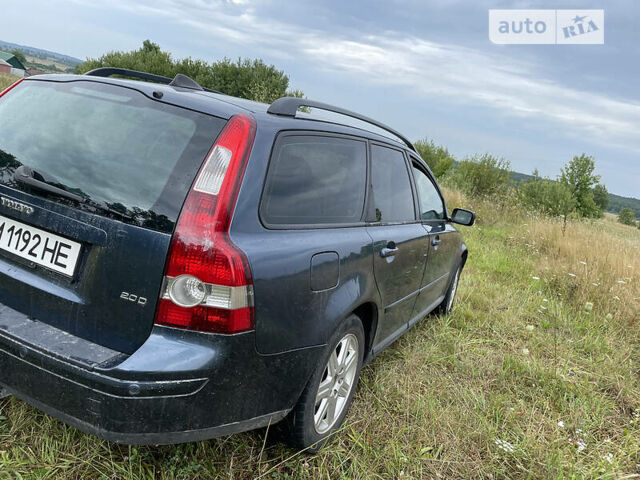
426, 68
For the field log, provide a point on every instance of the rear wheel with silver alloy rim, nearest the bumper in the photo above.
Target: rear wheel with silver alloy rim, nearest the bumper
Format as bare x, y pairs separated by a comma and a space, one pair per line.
311, 424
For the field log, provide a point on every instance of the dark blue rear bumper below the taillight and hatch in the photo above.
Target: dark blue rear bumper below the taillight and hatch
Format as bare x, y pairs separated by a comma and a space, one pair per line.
179, 386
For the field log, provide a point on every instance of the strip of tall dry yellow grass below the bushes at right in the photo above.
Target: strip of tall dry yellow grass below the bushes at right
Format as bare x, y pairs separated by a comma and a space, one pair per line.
593, 262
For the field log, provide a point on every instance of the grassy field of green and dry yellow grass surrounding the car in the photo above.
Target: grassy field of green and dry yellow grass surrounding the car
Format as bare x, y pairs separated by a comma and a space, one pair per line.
533, 375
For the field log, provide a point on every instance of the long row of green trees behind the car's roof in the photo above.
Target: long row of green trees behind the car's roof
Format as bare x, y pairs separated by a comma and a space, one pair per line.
252, 79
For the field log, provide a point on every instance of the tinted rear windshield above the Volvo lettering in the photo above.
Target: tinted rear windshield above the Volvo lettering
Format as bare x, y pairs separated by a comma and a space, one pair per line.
111, 145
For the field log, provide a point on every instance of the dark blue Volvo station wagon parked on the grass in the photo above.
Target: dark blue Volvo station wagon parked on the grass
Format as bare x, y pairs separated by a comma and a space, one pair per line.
177, 264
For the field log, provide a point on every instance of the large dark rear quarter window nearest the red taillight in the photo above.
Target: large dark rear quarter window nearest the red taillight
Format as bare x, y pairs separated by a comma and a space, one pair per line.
315, 180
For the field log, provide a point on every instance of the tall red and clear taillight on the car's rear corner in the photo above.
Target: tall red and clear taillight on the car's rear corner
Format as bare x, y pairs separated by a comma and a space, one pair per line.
207, 284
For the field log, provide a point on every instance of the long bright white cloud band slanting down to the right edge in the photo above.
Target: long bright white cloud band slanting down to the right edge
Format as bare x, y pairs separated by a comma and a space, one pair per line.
465, 75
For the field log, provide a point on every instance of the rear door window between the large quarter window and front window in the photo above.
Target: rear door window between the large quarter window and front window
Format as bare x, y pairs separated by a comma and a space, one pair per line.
392, 195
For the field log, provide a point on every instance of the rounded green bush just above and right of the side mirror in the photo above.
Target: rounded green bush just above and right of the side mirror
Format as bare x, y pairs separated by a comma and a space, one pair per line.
483, 175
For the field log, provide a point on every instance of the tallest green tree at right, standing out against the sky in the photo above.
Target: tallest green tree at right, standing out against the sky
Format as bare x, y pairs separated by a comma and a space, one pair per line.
578, 176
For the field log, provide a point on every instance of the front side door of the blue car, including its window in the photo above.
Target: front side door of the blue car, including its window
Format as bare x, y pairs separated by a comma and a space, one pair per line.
442, 242
